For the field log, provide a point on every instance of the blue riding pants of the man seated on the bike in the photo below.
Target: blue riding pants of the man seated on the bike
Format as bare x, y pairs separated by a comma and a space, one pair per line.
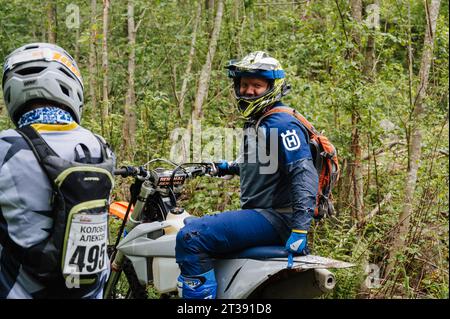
219, 234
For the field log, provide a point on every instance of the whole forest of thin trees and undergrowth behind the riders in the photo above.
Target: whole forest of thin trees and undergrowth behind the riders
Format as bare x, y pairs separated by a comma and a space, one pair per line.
372, 75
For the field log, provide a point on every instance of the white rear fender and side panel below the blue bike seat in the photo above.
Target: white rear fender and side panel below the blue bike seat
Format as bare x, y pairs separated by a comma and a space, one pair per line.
270, 278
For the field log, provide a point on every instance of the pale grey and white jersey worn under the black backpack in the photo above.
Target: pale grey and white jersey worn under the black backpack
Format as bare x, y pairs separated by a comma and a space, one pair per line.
25, 210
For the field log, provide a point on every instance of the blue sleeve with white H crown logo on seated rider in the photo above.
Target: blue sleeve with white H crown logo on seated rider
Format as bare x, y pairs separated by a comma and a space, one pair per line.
296, 161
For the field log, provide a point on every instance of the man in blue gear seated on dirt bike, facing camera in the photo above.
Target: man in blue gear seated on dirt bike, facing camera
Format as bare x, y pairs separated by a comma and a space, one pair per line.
277, 204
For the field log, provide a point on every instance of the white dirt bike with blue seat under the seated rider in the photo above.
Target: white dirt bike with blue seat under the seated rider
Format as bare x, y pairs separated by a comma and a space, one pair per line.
145, 247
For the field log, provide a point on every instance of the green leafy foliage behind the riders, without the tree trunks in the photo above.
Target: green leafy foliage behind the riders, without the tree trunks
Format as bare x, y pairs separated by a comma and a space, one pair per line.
325, 69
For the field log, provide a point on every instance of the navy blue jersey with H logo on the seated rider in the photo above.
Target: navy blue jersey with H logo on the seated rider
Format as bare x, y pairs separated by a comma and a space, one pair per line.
277, 173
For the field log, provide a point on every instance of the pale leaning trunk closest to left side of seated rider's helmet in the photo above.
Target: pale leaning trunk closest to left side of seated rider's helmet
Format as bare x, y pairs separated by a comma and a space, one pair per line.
202, 90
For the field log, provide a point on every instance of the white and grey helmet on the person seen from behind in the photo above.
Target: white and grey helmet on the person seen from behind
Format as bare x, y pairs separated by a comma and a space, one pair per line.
41, 71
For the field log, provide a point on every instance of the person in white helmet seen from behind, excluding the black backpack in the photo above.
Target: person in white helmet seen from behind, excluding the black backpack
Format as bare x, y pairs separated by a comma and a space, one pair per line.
42, 88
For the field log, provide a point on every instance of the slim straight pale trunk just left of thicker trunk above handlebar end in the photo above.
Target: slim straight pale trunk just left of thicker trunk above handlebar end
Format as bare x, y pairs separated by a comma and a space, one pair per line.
105, 67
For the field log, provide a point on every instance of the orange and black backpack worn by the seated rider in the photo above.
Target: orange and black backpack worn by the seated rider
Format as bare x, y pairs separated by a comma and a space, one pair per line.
325, 161
